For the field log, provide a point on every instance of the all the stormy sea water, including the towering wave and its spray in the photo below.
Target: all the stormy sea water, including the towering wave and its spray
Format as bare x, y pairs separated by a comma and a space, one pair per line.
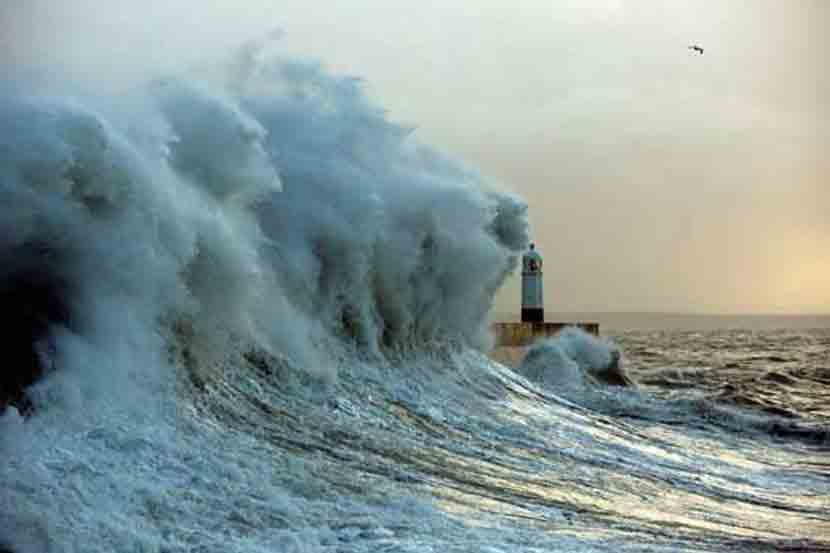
247, 313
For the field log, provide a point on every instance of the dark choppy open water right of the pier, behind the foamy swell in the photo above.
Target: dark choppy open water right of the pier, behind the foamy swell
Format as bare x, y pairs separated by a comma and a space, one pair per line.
780, 372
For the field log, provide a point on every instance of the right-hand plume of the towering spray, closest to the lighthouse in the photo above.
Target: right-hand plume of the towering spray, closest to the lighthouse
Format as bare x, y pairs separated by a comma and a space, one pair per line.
389, 242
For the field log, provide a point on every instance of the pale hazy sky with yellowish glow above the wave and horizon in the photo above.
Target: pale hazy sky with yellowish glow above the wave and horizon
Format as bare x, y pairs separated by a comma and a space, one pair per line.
657, 179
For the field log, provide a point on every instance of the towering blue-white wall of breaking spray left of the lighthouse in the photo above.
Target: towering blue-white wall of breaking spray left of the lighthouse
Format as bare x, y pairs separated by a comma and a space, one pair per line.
262, 201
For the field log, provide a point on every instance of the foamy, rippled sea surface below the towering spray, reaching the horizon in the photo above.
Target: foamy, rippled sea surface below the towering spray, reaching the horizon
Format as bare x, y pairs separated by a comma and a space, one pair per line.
723, 445
